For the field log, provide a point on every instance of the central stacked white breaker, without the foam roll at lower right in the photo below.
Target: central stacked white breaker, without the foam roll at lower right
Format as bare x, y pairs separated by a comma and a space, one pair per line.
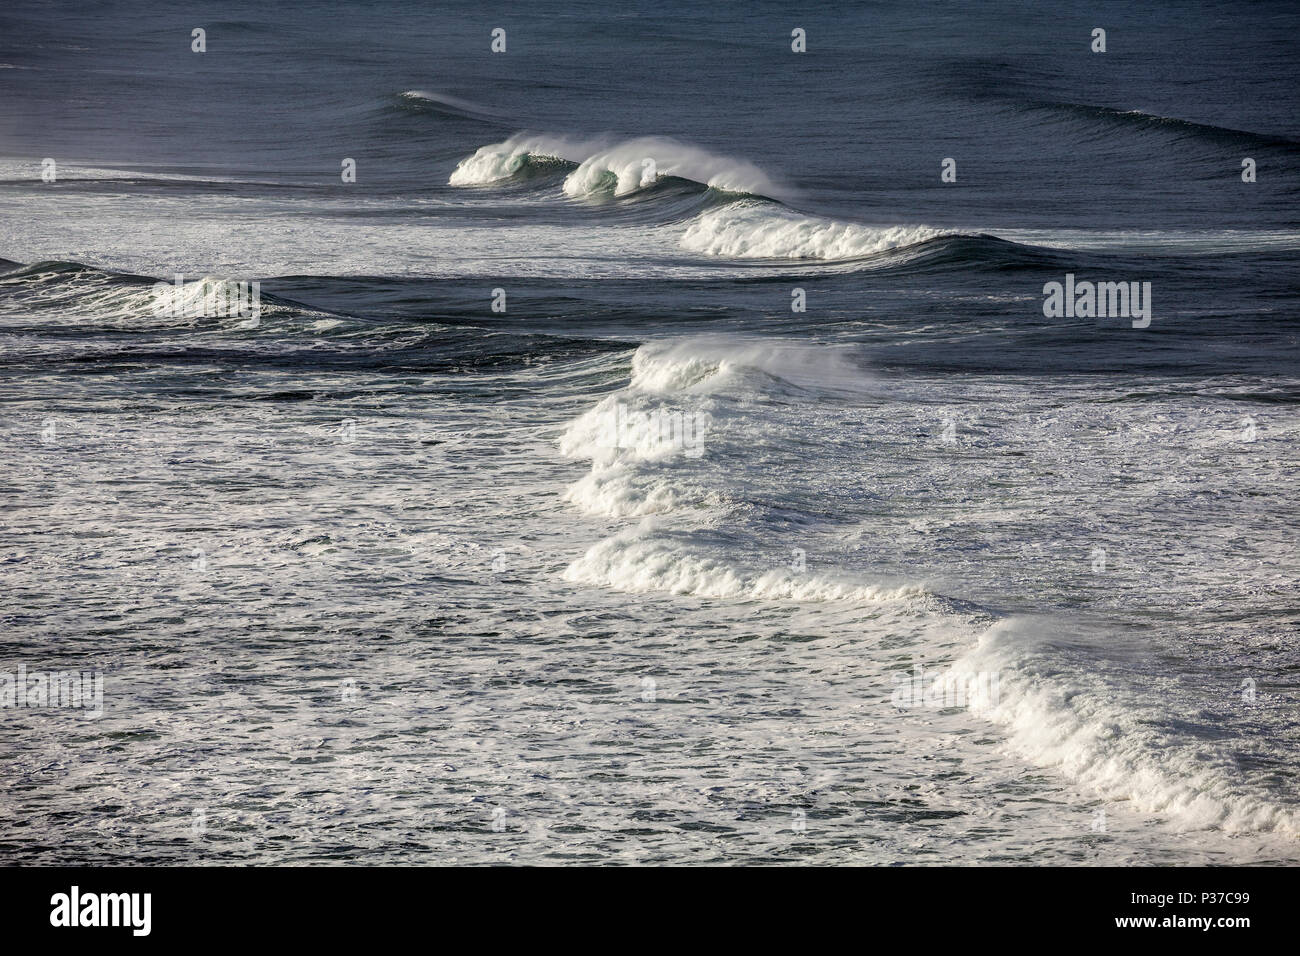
645, 475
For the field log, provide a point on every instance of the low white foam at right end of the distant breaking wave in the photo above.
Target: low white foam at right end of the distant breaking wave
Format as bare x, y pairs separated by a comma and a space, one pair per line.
755, 231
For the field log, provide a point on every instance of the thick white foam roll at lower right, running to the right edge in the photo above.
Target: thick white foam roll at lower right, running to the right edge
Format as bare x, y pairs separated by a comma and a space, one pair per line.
1110, 750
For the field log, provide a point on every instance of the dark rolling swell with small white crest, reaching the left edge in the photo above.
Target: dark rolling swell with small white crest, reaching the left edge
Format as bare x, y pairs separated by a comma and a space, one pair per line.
88, 319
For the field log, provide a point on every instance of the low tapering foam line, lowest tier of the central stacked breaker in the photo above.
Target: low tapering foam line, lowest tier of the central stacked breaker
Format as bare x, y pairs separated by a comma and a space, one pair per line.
635, 564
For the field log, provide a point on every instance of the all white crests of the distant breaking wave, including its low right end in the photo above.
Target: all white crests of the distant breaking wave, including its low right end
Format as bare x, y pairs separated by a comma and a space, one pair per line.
756, 226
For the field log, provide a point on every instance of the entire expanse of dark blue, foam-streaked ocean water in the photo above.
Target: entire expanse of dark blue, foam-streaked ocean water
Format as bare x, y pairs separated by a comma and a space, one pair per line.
649, 458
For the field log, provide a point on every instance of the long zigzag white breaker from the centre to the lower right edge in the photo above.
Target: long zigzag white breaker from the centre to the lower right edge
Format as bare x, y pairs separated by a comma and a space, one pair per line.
1056, 711
